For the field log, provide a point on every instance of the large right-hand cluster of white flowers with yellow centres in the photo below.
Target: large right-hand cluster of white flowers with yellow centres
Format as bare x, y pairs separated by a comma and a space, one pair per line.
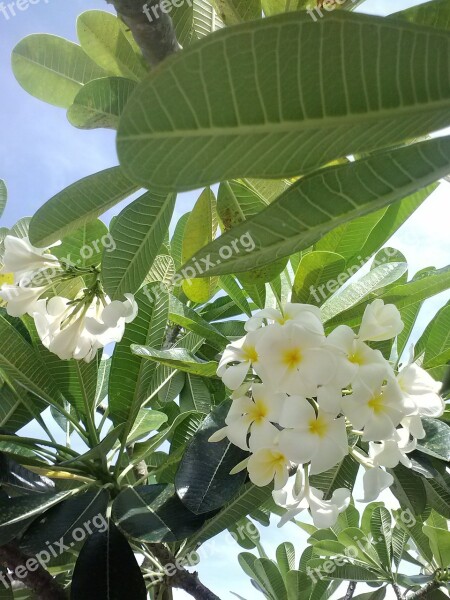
298, 395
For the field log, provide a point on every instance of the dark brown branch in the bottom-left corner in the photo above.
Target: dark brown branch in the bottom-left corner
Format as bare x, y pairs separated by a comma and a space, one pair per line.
38, 580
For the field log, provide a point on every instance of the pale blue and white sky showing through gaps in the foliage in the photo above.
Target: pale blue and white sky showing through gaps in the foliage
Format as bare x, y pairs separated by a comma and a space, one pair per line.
42, 154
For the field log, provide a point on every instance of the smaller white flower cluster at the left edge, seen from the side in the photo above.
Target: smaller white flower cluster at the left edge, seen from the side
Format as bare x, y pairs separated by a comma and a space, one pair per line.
68, 328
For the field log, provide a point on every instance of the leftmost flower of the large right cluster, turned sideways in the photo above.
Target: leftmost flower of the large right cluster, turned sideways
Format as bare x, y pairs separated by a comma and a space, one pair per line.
244, 353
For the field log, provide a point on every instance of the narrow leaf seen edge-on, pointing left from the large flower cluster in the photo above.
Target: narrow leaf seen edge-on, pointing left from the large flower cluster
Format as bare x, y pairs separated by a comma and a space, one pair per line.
177, 358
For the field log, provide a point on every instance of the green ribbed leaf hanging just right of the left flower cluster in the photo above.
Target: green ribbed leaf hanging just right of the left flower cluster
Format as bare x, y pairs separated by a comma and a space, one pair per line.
138, 233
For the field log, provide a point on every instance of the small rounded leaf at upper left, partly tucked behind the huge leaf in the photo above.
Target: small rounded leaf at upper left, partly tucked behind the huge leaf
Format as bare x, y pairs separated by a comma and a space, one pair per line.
100, 103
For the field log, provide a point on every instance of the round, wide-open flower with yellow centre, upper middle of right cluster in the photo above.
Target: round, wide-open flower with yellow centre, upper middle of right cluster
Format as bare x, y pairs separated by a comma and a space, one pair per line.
294, 360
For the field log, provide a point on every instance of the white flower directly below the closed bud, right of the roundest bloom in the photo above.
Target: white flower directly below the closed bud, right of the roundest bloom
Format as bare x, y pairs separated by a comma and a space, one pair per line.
352, 355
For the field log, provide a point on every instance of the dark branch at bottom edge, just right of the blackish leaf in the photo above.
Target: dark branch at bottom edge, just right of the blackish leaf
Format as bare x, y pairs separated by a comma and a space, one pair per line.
177, 576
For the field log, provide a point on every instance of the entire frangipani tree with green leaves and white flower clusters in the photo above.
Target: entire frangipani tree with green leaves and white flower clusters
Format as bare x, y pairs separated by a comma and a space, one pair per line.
255, 369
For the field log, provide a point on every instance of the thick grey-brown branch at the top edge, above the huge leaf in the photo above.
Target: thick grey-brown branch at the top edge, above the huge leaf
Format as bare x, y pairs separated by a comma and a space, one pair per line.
152, 28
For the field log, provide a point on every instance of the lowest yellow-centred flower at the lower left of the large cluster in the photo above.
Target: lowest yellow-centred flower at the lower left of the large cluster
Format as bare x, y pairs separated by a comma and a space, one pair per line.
267, 465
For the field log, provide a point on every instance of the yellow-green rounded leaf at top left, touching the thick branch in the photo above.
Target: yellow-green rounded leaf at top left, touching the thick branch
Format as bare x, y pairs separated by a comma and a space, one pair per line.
103, 37
